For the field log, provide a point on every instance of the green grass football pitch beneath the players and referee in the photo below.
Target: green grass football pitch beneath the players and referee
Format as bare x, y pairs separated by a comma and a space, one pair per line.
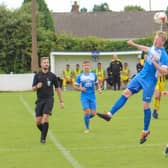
113, 144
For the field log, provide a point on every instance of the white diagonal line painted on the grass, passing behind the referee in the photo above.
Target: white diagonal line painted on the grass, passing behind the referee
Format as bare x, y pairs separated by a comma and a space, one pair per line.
62, 149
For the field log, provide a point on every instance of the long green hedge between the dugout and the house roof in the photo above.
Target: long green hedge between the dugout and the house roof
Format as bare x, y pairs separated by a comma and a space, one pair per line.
67, 42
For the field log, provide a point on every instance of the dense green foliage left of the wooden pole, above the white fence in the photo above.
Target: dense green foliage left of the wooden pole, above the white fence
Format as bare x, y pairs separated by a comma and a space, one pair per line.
14, 28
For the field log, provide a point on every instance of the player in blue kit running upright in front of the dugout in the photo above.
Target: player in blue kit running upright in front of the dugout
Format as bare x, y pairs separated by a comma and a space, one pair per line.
85, 82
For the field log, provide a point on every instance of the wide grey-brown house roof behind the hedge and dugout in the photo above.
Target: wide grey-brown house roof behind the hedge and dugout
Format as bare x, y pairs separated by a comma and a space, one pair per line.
109, 25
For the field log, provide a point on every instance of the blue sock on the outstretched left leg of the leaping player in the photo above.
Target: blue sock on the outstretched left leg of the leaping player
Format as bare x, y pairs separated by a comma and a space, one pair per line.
119, 103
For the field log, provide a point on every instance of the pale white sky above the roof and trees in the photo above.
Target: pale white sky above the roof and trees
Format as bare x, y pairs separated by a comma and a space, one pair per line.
114, 5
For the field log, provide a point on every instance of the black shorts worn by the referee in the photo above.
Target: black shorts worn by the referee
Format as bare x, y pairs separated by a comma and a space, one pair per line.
44, 106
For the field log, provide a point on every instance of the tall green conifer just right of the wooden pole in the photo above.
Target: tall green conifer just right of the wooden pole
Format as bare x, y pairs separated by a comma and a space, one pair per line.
45, 28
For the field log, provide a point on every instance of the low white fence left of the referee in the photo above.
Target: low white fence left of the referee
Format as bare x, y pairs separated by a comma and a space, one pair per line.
16, 82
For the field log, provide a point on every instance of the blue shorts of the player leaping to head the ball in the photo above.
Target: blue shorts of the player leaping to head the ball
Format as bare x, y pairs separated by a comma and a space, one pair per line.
148, 87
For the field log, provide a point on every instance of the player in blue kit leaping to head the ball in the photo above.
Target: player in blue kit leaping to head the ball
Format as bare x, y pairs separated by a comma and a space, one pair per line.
156, 62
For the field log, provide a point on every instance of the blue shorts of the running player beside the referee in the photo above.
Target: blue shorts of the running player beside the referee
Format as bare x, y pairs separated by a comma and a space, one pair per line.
88, 102
